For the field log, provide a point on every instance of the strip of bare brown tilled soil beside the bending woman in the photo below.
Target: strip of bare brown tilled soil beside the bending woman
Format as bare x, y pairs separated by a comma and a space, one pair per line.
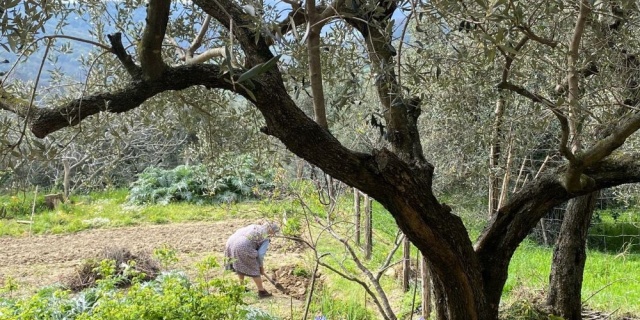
38, 261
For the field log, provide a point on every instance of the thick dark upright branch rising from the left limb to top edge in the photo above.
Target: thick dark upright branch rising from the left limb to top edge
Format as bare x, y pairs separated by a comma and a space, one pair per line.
150, 49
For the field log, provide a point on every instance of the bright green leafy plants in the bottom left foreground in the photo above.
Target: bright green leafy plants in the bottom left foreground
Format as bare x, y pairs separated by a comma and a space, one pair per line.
169, 296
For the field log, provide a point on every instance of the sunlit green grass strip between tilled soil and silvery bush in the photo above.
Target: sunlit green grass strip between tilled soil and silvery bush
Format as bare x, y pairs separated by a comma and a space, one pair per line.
110, 209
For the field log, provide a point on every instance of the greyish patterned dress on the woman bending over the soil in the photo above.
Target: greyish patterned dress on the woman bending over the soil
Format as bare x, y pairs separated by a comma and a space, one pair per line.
241, 250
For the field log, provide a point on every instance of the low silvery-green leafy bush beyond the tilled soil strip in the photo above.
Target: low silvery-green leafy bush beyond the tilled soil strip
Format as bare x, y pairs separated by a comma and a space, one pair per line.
231, 183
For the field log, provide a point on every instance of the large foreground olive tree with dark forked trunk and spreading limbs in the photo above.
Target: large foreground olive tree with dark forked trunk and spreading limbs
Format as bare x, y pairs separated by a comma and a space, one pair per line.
468, 277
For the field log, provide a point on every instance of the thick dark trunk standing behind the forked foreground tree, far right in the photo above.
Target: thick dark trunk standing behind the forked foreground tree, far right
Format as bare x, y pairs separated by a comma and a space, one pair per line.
569, 257
